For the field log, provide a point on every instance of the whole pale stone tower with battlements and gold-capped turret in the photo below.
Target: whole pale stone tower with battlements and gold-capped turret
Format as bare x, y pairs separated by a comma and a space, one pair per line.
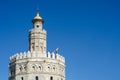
37, 64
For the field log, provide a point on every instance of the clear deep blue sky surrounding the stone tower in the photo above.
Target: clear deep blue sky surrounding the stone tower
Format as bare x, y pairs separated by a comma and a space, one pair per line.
87, 33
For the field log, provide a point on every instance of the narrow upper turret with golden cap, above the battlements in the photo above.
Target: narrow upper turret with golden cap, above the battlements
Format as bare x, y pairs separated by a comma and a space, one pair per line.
37, 35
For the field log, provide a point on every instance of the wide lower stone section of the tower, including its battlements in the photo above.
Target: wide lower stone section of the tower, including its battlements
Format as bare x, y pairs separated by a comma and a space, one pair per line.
26, 66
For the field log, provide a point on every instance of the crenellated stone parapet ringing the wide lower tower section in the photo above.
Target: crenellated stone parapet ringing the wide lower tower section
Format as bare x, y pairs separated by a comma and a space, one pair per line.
28, 55
